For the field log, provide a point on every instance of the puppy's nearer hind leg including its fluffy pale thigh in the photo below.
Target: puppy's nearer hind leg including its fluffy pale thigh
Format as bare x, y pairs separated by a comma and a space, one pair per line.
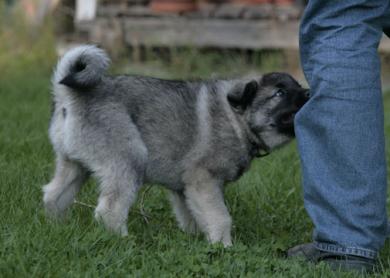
120, 166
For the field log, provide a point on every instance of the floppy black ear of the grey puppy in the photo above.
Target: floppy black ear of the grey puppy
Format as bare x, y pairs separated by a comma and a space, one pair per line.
240, 97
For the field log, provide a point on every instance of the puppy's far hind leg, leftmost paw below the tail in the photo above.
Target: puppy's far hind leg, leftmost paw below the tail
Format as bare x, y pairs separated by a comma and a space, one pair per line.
59, 194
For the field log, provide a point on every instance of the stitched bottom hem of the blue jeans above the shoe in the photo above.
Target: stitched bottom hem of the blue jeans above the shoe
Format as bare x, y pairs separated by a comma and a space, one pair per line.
343, 250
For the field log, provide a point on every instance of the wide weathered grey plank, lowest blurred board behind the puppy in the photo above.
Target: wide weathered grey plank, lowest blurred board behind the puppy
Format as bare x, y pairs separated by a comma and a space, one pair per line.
196, 32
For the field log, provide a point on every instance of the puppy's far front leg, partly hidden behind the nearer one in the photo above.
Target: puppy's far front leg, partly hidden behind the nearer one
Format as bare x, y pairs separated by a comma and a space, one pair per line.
183, 215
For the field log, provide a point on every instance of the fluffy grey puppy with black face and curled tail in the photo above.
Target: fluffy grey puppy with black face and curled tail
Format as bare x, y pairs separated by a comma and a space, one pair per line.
190, 136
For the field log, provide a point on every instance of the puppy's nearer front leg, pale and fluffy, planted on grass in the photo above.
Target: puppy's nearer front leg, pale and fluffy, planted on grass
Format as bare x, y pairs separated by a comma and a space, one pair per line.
205, 200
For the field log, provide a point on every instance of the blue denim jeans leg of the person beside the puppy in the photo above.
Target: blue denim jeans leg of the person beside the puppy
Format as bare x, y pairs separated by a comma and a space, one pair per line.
340, 130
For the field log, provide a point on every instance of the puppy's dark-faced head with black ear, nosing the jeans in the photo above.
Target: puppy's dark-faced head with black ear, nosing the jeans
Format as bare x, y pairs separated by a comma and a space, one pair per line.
269, 106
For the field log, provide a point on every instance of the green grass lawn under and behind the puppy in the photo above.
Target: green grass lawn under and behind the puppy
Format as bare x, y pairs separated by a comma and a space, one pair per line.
266, 203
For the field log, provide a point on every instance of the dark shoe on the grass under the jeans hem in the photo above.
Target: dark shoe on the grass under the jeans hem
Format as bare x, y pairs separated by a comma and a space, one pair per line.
310, 253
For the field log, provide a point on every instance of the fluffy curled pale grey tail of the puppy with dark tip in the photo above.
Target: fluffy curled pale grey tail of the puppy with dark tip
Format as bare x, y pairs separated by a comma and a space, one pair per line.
81, 67
